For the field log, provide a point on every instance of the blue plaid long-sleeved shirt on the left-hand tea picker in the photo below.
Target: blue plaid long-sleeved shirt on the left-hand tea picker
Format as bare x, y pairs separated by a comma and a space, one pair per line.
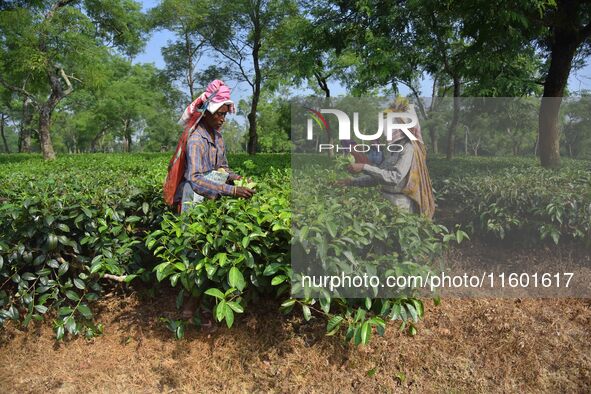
205, 155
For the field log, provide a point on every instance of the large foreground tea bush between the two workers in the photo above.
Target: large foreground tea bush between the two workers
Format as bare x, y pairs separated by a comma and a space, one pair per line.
229, 252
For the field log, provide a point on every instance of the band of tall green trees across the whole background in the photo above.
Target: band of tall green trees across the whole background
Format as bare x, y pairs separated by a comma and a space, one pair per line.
69, 82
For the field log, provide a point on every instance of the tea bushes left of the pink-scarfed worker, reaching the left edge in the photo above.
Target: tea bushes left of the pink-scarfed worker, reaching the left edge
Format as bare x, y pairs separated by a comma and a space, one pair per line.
64, 225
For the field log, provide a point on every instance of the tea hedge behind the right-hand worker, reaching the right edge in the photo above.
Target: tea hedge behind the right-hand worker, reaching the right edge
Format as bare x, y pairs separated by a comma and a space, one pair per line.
517, 199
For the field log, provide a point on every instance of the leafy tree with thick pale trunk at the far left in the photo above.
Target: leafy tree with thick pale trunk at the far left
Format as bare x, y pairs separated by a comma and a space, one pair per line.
47, 47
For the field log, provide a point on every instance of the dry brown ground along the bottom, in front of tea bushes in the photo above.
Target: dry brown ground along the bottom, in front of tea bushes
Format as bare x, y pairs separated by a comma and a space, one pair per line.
482, 345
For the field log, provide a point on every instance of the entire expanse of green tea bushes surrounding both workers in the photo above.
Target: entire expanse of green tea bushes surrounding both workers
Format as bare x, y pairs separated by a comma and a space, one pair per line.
67, 225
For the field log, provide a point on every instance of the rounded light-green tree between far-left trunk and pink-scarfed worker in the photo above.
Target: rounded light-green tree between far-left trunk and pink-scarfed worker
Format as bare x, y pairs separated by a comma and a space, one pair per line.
134, 103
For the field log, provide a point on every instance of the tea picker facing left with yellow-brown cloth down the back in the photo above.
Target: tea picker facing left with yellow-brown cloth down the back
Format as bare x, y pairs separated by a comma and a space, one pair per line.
403, 175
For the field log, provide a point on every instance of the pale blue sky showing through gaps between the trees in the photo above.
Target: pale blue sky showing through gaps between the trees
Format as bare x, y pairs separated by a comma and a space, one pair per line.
579, 80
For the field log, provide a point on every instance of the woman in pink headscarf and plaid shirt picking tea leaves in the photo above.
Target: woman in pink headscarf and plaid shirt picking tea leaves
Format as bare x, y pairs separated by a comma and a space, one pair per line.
206, 152
